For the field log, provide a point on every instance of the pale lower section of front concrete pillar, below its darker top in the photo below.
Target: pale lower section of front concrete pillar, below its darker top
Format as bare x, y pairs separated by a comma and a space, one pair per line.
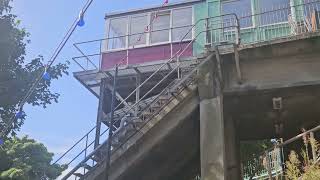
212, 141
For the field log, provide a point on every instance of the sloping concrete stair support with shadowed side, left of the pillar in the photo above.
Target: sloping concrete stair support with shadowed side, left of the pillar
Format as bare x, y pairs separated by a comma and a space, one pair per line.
163, 150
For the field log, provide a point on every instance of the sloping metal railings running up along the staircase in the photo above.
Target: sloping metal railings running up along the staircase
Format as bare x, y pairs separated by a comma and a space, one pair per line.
164, 79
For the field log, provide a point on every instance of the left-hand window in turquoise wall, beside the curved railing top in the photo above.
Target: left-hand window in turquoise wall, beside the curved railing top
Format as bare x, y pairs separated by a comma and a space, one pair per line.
242, 8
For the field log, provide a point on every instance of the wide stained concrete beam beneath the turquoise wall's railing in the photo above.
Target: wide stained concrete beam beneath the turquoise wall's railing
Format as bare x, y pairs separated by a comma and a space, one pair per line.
279, 65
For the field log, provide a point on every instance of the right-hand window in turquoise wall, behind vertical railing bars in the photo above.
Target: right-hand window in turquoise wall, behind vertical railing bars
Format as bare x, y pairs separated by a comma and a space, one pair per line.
273, 11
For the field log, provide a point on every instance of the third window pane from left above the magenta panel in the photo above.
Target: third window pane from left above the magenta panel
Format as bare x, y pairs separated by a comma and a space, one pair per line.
160, 27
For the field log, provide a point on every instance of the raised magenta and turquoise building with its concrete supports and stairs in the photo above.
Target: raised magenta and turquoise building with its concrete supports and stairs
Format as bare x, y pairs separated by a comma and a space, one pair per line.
214, 62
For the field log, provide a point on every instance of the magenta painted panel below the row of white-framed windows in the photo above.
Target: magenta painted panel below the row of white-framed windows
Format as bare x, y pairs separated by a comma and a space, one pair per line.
143, 55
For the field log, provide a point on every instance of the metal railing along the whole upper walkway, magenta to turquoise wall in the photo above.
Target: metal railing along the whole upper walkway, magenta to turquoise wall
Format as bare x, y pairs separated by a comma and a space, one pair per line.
265, 25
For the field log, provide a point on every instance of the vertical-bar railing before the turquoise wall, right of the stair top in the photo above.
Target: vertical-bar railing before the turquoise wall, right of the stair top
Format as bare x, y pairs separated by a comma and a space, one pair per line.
281, 22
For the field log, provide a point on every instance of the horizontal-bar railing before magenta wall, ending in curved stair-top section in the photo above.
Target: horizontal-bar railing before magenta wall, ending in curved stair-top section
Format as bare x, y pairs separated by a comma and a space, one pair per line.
228, 24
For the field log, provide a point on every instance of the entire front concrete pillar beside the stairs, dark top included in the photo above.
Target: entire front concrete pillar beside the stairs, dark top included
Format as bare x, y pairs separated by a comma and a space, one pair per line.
212, 140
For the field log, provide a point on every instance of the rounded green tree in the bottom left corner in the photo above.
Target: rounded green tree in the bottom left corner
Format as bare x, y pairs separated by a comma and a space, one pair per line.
26, 159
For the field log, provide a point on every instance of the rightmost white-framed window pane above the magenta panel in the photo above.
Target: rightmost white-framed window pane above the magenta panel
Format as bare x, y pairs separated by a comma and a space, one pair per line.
181, 24
